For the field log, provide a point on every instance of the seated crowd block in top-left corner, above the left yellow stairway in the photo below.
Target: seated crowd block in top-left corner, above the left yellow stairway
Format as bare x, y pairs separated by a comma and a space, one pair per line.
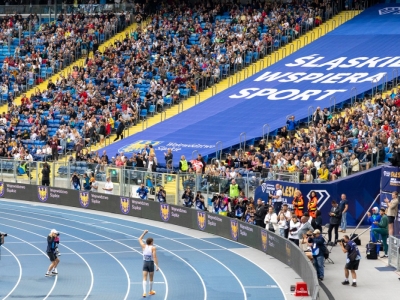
28, 58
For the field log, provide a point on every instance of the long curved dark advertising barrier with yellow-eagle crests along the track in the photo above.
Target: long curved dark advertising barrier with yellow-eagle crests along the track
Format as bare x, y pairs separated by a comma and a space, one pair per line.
232, 229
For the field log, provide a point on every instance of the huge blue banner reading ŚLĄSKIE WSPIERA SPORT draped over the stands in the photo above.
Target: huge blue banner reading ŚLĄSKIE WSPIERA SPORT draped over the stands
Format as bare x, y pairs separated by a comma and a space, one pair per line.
347, 61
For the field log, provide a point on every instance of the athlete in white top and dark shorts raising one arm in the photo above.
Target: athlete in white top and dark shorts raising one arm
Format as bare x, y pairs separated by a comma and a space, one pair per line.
149, 260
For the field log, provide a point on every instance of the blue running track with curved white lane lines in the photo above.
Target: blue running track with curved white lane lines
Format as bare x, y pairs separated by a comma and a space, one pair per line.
101, 259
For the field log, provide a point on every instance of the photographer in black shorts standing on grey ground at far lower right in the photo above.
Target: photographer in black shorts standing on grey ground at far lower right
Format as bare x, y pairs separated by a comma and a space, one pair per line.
353, 259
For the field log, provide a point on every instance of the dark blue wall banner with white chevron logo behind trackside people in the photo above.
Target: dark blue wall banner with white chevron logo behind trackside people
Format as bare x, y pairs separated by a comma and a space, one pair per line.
360, 189
